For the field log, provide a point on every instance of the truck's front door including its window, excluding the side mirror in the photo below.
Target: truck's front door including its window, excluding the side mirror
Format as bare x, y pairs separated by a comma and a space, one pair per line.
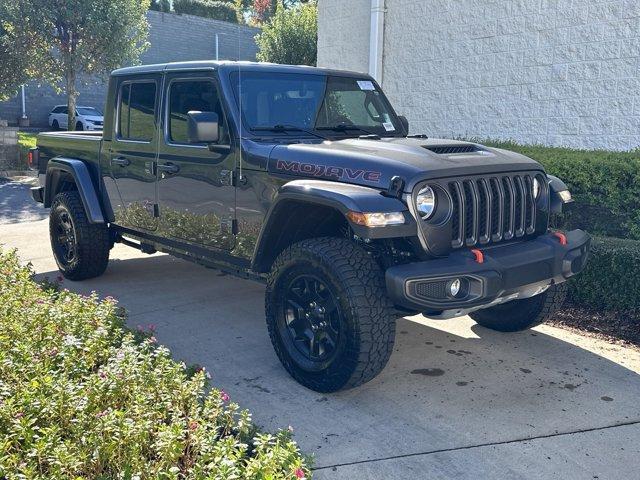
196, 197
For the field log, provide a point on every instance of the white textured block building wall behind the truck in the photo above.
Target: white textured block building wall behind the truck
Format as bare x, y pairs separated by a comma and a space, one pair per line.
555, 72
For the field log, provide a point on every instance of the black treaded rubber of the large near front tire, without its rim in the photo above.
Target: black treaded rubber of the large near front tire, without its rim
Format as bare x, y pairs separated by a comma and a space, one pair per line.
363, 287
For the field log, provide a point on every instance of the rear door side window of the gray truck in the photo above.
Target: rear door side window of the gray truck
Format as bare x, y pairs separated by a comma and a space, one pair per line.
136, 111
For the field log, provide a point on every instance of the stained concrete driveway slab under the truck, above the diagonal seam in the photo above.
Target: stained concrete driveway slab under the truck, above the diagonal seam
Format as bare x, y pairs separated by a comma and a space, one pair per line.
448, 384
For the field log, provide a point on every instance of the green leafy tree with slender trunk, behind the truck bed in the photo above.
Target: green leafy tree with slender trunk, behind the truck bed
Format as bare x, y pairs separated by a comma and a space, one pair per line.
66, 38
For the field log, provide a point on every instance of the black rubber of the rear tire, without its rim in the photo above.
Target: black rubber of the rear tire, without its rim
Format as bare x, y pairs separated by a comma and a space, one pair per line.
93, 239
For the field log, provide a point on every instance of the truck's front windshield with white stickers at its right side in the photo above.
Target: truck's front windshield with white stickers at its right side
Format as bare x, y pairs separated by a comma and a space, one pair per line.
288, 101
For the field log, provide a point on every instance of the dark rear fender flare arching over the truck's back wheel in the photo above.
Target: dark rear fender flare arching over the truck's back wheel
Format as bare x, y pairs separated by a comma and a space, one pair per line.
78, 170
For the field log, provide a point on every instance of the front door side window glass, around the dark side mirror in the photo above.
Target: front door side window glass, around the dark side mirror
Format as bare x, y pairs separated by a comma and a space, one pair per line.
188, 95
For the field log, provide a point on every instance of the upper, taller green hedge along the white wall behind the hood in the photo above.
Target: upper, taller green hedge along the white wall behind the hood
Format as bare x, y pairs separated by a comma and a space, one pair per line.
604, 184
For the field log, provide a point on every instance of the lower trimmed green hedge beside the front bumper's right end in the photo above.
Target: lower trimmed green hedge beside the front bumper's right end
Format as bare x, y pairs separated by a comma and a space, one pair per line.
611, 279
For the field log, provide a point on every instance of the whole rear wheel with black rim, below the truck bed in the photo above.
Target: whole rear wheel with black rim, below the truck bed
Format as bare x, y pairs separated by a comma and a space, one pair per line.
81, 249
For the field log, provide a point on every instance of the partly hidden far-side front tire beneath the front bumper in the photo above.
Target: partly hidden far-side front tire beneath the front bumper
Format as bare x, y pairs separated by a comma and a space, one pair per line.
518, 315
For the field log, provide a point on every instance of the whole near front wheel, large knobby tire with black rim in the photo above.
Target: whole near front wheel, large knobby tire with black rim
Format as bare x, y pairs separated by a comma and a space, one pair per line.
328, 314
